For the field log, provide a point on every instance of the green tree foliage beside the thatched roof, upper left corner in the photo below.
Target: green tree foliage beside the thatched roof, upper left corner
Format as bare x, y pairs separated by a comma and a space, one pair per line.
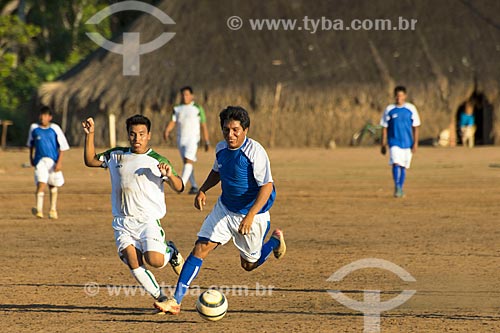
40, 40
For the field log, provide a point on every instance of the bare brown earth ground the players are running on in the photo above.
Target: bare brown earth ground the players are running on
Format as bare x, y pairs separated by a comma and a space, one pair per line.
335, 207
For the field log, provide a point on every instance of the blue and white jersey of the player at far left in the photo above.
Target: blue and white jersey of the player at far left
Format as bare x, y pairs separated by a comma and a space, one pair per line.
47, 141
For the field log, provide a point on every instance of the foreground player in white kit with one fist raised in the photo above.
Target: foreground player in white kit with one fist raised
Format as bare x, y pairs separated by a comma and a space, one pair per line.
138, 175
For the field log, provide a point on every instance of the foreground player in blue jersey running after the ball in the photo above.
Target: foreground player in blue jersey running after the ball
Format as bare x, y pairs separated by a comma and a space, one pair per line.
241, 212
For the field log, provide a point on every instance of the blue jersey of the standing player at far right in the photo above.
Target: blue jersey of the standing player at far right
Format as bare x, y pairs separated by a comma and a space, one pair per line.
399, 121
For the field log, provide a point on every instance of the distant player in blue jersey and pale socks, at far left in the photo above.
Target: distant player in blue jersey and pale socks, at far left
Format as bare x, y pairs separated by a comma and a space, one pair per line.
47, 144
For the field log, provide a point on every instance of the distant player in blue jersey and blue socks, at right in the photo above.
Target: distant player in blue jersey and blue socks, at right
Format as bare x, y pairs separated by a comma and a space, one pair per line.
400, 123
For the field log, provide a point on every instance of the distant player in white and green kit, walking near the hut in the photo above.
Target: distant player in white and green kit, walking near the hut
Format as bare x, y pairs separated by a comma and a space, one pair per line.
189, 118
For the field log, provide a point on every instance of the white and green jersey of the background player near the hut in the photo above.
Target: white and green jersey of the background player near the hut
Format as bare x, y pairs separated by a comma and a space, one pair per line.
188, 118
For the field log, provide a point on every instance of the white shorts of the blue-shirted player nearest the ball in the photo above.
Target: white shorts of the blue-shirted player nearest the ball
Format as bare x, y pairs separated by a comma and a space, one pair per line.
221, 225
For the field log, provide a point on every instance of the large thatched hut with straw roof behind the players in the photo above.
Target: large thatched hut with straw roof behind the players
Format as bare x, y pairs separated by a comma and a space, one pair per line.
333, 82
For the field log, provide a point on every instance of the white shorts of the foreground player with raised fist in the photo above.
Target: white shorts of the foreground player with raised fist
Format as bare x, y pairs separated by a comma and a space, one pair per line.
144, 236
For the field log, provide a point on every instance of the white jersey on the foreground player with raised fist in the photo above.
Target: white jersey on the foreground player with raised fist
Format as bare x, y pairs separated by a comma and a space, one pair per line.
137, 188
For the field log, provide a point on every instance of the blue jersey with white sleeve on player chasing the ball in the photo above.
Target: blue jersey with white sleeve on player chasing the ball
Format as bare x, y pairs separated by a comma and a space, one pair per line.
242, 172
